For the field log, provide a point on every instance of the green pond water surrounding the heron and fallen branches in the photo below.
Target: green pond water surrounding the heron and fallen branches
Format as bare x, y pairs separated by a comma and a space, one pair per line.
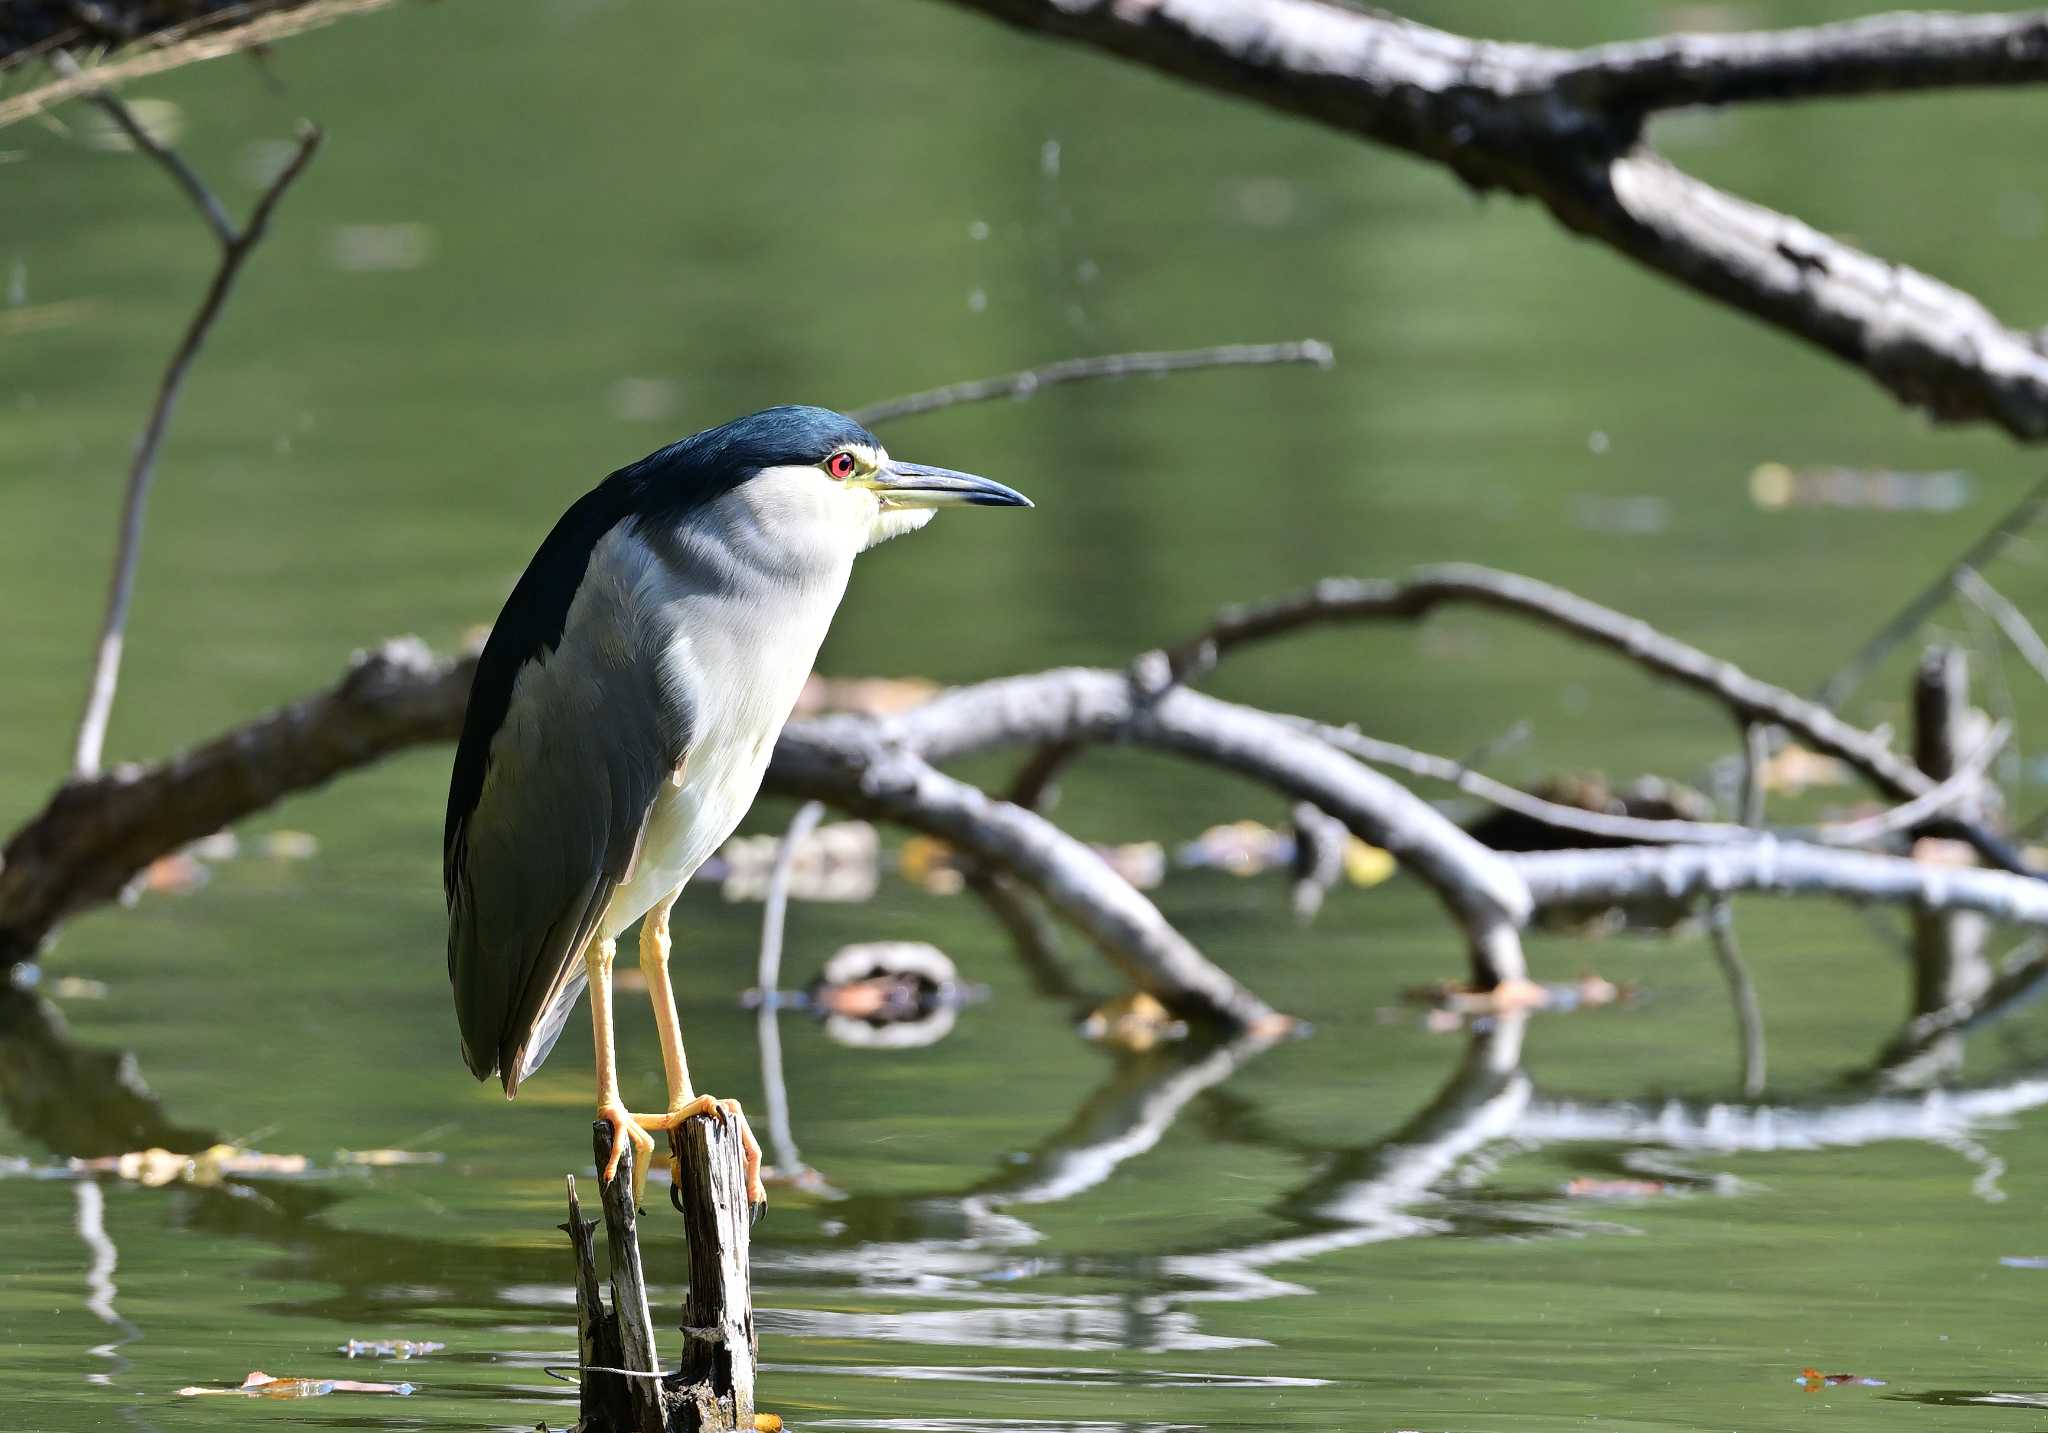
546, 238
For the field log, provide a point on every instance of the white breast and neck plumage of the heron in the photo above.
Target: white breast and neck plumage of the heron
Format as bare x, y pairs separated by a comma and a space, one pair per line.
732, 611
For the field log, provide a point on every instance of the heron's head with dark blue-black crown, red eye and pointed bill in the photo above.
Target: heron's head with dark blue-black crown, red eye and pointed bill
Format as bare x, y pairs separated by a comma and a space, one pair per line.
822, 474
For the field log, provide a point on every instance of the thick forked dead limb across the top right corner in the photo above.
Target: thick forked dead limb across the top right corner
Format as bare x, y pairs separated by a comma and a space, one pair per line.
1566, 130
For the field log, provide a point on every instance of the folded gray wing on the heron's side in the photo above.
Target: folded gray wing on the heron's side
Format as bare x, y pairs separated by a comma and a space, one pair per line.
587, 738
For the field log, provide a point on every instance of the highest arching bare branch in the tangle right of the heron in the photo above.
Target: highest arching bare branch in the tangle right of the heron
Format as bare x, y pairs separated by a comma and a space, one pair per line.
1428, 589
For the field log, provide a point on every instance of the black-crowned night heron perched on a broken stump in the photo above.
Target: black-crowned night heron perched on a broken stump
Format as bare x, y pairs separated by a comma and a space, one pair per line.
624, 715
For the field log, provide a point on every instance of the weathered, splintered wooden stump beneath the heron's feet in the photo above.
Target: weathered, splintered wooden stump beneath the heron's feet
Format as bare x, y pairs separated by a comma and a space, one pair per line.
624, 1387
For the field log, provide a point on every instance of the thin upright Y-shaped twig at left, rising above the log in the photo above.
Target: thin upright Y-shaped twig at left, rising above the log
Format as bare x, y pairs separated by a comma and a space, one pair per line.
237, 249
